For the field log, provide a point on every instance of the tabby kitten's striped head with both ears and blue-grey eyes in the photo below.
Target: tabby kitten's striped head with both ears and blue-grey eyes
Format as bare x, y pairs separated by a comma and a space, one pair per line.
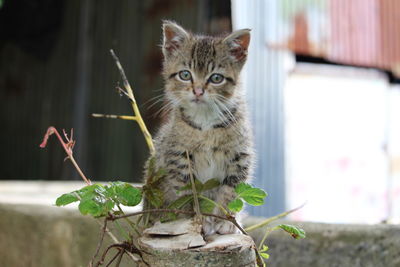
202, 70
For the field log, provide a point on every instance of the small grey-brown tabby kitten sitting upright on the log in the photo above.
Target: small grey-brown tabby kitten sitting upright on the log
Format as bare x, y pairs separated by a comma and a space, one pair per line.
208, 117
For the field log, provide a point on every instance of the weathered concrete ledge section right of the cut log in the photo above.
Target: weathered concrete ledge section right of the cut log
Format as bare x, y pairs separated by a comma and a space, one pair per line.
333, 245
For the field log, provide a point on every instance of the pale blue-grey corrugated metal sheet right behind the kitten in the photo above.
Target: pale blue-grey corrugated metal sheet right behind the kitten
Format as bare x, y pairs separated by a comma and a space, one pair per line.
263, 79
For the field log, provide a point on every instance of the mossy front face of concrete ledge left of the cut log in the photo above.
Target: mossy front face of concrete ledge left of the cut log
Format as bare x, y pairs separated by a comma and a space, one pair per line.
45, 236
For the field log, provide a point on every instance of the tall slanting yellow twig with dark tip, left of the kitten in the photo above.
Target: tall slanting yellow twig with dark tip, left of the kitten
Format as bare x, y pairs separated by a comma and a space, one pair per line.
135, 108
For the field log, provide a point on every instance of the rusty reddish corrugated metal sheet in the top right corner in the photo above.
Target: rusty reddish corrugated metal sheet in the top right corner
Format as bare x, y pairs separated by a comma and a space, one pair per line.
359, 32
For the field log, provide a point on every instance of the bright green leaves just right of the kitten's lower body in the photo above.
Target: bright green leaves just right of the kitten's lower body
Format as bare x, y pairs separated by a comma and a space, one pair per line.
245, 192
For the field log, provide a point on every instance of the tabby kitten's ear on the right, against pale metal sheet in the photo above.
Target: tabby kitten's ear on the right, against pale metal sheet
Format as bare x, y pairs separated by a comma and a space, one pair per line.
238, 43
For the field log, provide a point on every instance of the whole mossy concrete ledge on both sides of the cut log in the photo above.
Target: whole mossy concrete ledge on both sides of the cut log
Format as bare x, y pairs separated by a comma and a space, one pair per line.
33, 235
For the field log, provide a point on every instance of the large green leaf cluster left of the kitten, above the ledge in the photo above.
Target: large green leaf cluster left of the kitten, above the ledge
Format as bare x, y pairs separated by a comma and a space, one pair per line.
98, 200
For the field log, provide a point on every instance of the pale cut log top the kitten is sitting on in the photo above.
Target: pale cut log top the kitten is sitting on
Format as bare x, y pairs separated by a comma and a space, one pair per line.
179, 243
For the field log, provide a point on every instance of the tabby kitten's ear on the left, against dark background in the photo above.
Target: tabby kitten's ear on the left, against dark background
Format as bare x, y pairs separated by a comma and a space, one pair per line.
174, 37
